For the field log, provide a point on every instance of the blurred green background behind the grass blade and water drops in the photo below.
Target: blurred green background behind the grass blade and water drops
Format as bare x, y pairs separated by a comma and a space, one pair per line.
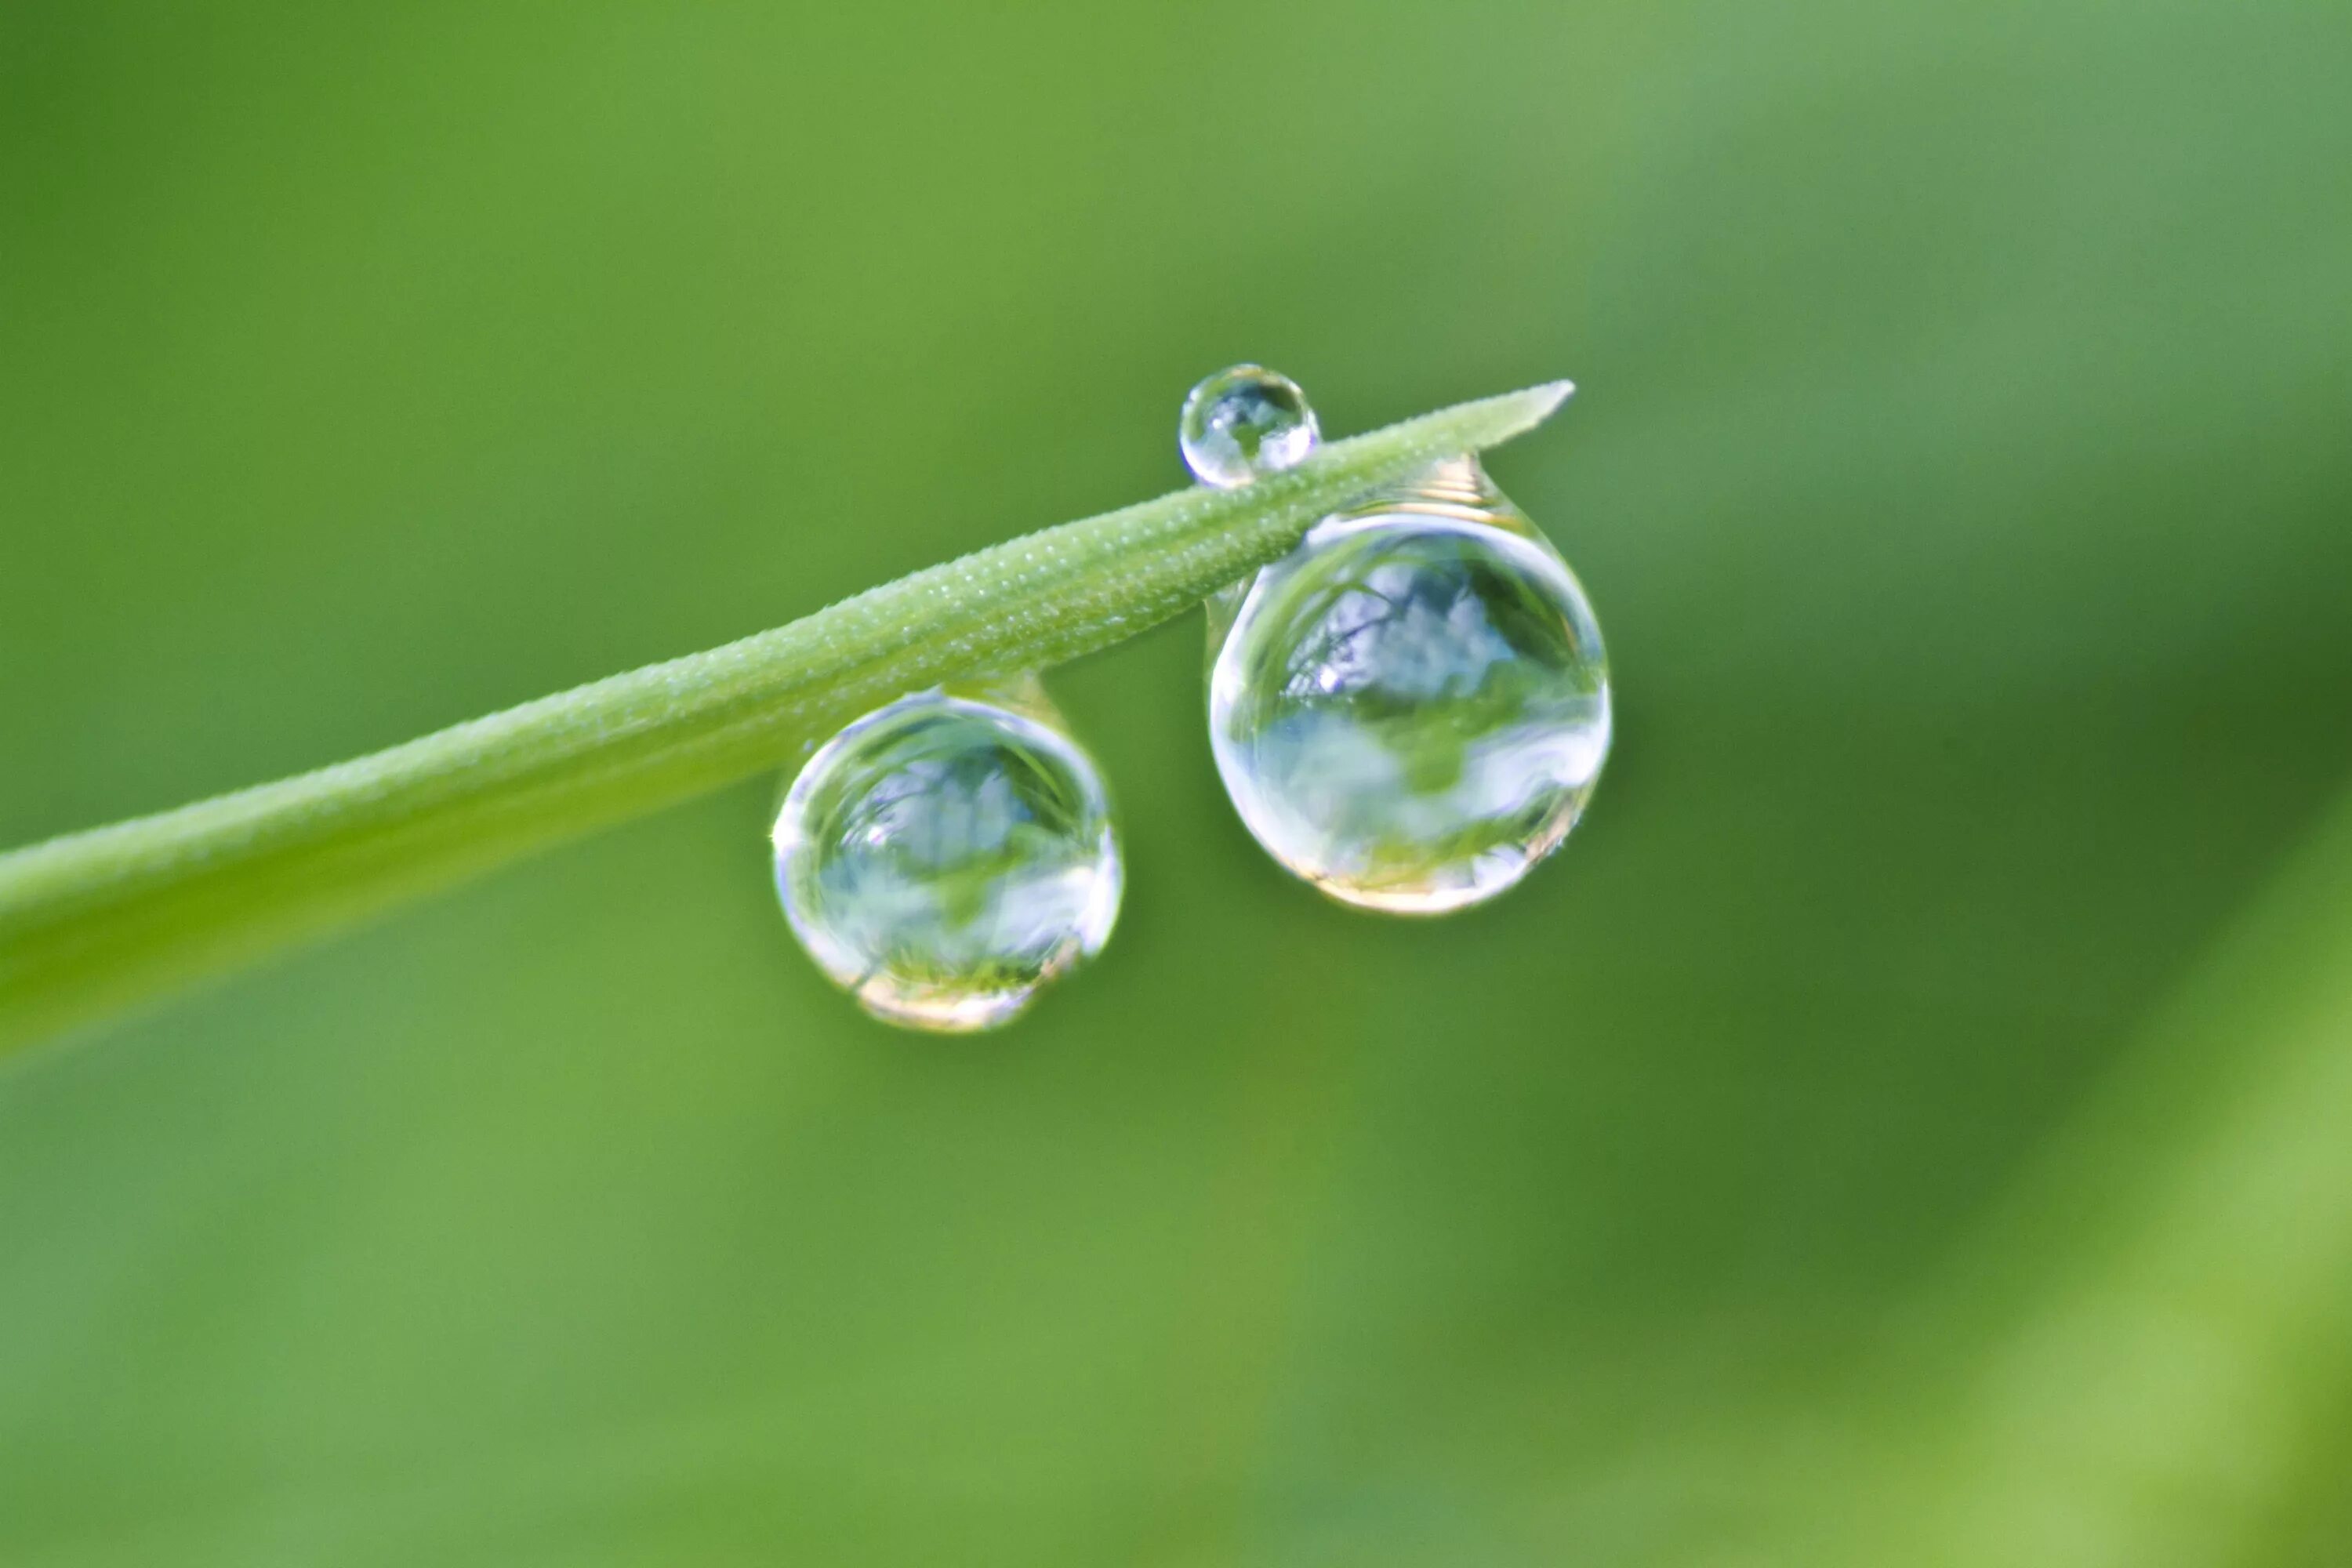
1909, 1125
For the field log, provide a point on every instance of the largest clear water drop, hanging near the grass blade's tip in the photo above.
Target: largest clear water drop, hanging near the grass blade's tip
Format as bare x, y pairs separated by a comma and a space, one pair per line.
1412, 706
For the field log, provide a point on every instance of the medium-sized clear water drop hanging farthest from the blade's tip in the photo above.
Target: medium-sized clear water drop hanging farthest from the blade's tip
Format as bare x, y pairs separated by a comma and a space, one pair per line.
947, 857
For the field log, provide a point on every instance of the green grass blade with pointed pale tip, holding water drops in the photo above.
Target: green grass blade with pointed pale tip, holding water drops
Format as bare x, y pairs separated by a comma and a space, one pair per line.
105, 920
